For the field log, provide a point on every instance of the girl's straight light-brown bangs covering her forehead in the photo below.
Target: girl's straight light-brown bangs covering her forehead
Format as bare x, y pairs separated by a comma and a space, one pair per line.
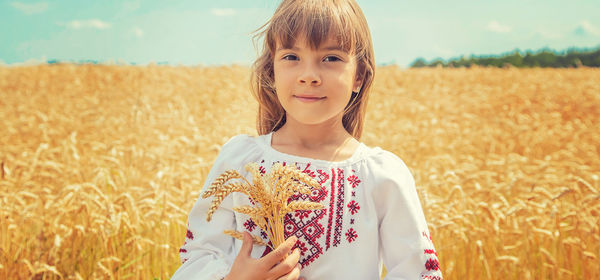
316, 21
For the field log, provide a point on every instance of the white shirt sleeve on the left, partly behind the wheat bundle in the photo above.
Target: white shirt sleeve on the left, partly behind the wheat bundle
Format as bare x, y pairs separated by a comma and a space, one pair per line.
208, 253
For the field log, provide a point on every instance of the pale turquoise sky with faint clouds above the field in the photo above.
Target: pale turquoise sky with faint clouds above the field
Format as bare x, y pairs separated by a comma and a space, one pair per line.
203, 32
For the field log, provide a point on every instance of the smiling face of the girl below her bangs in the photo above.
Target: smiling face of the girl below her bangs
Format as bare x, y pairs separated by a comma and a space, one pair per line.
314, 85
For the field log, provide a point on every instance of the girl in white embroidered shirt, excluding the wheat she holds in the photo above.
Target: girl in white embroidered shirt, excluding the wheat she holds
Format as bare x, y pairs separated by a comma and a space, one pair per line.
312, 82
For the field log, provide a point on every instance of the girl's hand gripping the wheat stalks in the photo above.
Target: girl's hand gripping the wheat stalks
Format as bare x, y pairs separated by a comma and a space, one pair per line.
277, 265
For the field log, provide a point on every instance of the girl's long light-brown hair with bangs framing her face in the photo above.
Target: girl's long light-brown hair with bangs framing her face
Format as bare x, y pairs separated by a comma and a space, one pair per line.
314, 20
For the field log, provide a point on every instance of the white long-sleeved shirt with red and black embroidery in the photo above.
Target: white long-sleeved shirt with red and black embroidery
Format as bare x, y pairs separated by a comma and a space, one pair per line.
372, 216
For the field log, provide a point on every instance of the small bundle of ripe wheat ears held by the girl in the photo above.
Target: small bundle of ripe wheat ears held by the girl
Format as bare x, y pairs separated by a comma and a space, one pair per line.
270, 195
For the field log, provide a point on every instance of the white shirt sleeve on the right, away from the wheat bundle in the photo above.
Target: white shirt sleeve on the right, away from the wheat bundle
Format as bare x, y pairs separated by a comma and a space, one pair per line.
406, 246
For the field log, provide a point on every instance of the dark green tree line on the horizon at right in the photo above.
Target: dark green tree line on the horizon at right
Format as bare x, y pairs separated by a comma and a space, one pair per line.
542, 58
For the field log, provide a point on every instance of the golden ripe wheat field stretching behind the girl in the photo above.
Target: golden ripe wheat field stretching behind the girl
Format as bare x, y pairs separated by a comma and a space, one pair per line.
99, 165
